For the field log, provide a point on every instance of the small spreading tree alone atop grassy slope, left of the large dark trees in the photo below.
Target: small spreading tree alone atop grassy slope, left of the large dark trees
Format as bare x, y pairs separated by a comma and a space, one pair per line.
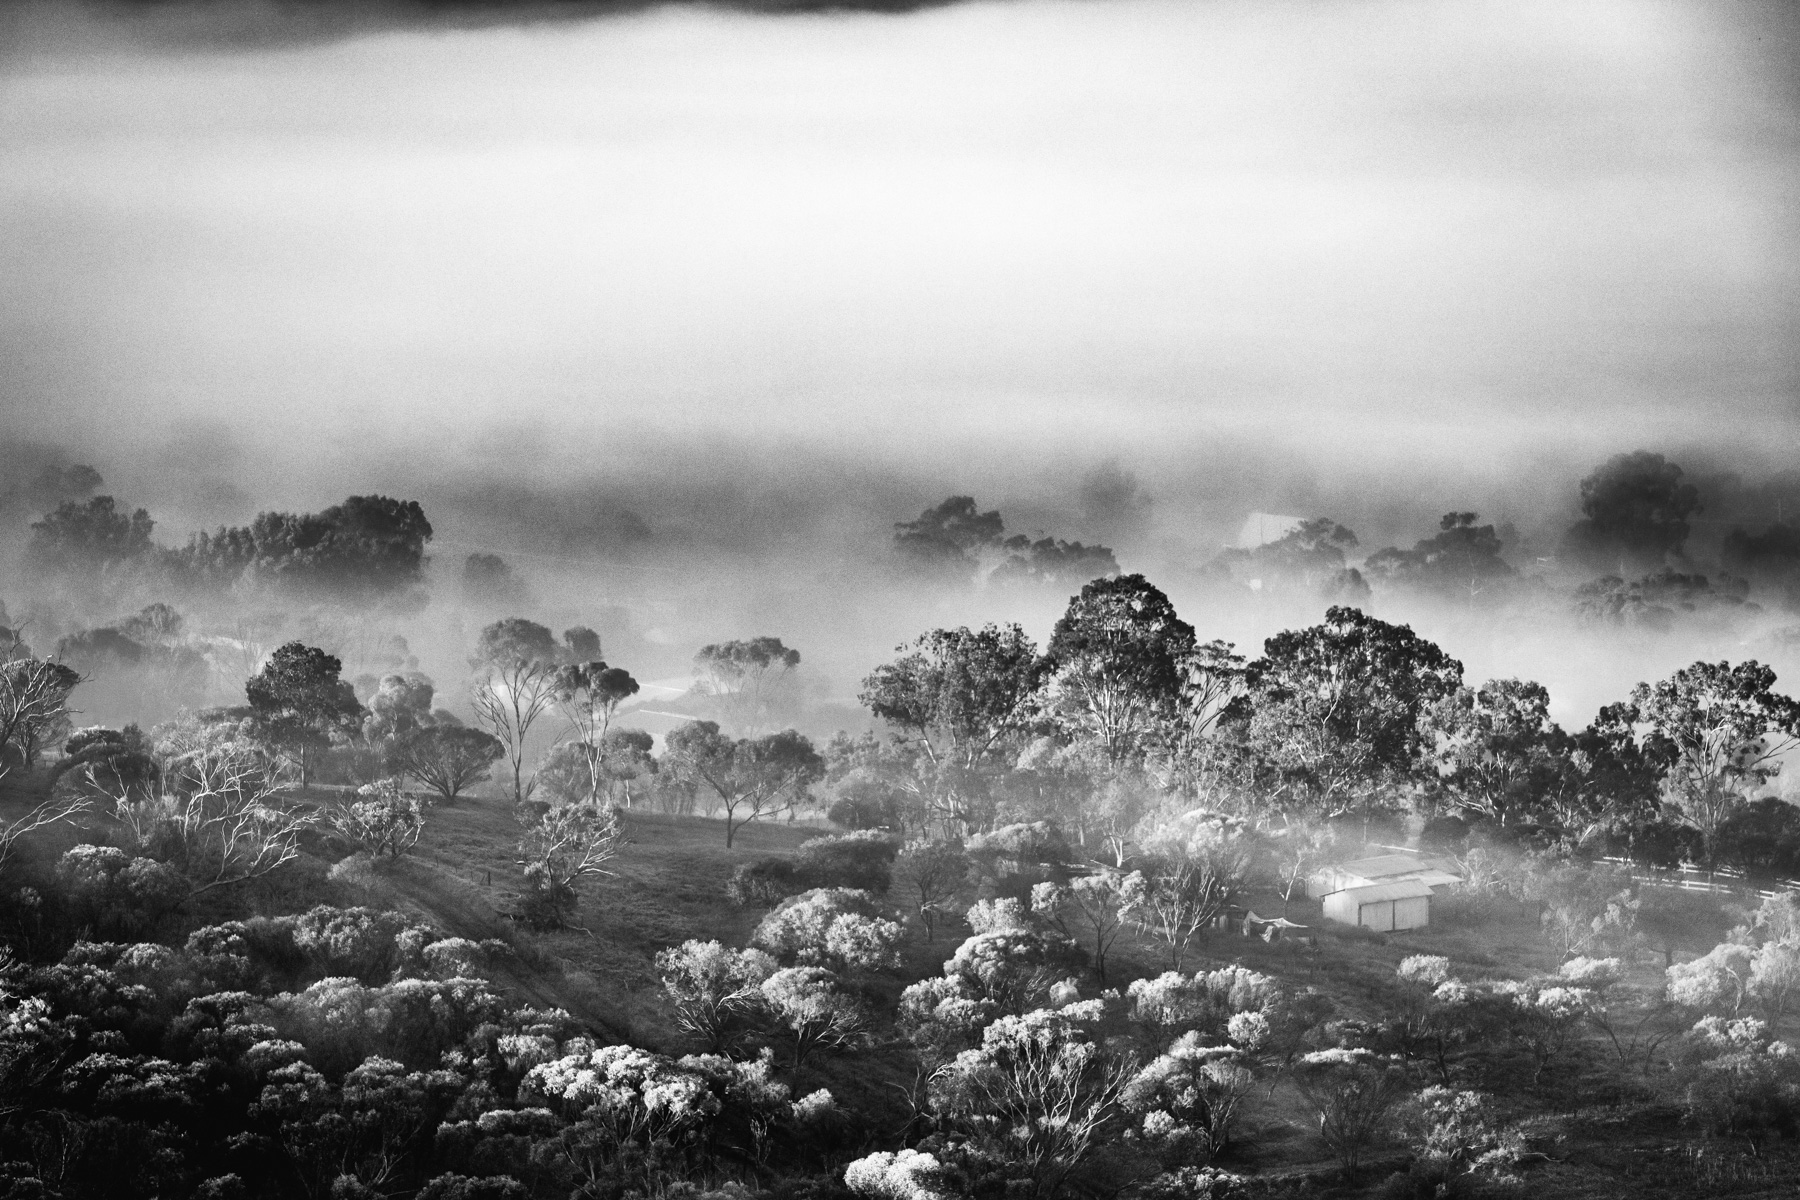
751, 778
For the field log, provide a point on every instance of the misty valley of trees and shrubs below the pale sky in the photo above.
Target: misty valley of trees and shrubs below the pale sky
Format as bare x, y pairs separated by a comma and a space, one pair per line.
1119, 909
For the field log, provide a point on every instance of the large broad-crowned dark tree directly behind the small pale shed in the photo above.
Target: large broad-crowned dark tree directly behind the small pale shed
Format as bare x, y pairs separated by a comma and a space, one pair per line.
1336, 708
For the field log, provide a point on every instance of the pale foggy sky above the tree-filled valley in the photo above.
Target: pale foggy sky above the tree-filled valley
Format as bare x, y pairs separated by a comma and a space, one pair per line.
1239, 247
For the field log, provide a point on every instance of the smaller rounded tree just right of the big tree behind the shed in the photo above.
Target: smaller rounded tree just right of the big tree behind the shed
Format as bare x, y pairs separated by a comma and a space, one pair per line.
1497, 748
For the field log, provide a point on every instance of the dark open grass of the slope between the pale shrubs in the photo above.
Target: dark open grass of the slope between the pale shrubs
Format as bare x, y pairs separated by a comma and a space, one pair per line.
669, 886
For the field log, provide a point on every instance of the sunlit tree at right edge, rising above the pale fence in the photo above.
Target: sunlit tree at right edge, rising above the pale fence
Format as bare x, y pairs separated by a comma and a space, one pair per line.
1718, 733
